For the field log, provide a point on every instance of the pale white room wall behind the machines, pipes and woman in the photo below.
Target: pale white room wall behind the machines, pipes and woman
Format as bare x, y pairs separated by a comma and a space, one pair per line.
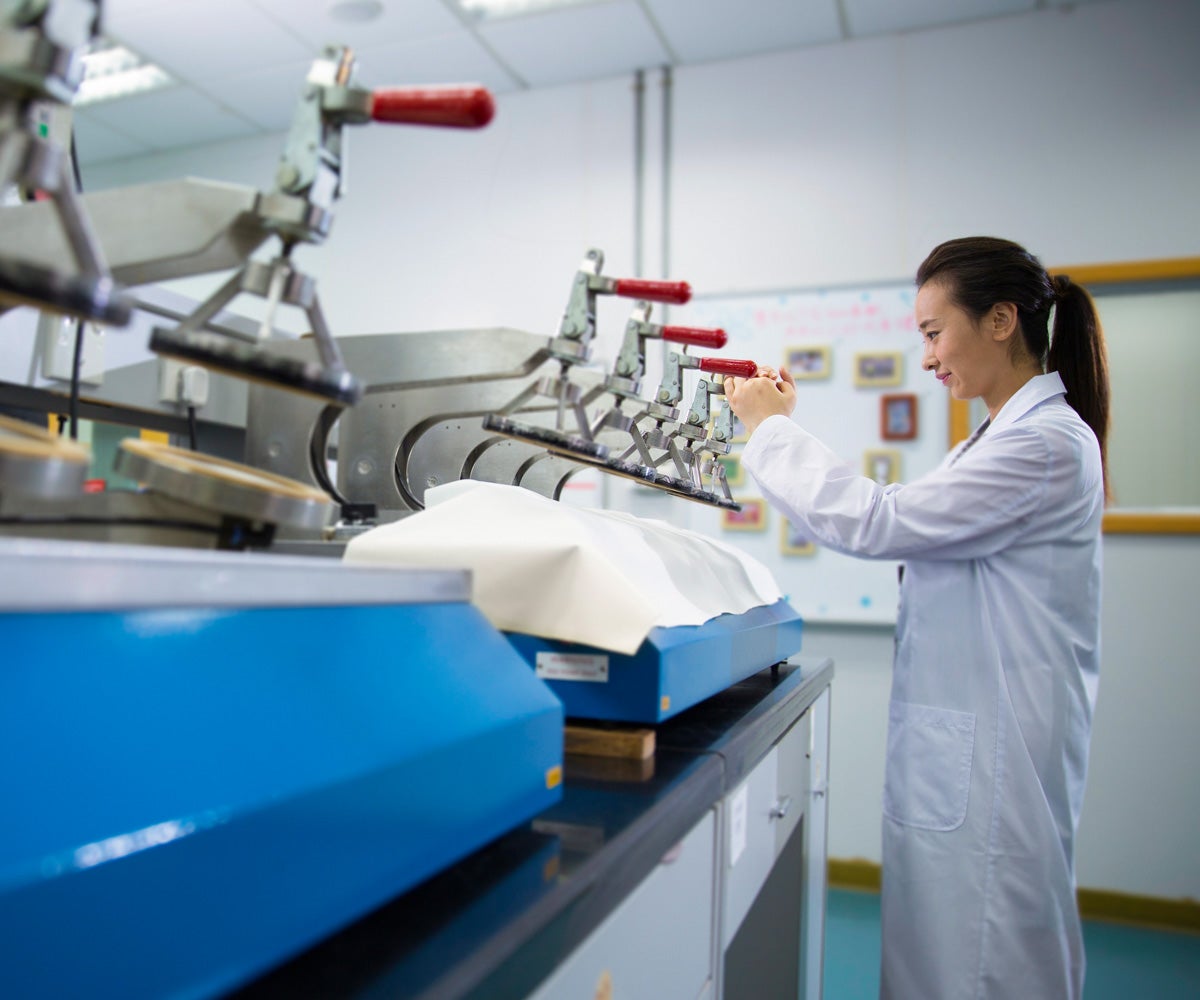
1076, 133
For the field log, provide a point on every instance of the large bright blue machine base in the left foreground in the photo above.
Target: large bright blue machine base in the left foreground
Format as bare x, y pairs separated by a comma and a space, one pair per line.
193, 797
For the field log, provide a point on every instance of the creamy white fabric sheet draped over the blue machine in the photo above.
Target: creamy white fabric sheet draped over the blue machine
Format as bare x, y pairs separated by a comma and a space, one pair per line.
599, 578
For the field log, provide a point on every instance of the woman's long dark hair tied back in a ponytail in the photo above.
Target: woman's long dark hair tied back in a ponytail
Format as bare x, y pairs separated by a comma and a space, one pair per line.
980, 272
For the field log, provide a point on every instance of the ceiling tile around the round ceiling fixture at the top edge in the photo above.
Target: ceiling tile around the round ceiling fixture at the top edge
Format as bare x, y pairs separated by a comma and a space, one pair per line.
399, 22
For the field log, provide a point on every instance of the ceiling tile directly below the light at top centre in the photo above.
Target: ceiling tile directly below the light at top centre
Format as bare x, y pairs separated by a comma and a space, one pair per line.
590, 43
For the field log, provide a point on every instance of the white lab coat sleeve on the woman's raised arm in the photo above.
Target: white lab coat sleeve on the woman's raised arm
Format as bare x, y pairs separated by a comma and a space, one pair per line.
962, 512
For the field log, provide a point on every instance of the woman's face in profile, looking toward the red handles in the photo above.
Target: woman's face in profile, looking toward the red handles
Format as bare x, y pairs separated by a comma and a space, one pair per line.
957, 349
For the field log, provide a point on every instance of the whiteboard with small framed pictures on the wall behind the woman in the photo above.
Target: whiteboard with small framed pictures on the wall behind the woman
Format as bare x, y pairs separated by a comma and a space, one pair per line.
824, 586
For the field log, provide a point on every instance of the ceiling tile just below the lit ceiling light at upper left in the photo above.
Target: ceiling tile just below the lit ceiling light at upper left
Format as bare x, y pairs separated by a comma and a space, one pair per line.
178, 116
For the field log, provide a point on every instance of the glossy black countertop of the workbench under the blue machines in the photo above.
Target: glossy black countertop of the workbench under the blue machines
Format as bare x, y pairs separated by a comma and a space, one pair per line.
501, 923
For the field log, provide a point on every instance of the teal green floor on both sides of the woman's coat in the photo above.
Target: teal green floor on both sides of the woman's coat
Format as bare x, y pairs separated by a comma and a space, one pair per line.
1123, 962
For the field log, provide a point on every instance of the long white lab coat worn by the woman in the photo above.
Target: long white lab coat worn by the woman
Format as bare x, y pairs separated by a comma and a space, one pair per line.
998, 654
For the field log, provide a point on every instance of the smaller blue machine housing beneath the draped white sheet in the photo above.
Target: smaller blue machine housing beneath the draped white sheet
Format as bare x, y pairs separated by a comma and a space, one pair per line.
674, 668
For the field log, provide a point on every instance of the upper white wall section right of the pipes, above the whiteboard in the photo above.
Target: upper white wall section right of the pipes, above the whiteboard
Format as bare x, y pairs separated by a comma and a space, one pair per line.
1073, 133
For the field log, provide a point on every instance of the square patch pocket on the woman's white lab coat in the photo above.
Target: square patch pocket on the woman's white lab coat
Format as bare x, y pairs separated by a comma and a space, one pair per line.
929, 767
